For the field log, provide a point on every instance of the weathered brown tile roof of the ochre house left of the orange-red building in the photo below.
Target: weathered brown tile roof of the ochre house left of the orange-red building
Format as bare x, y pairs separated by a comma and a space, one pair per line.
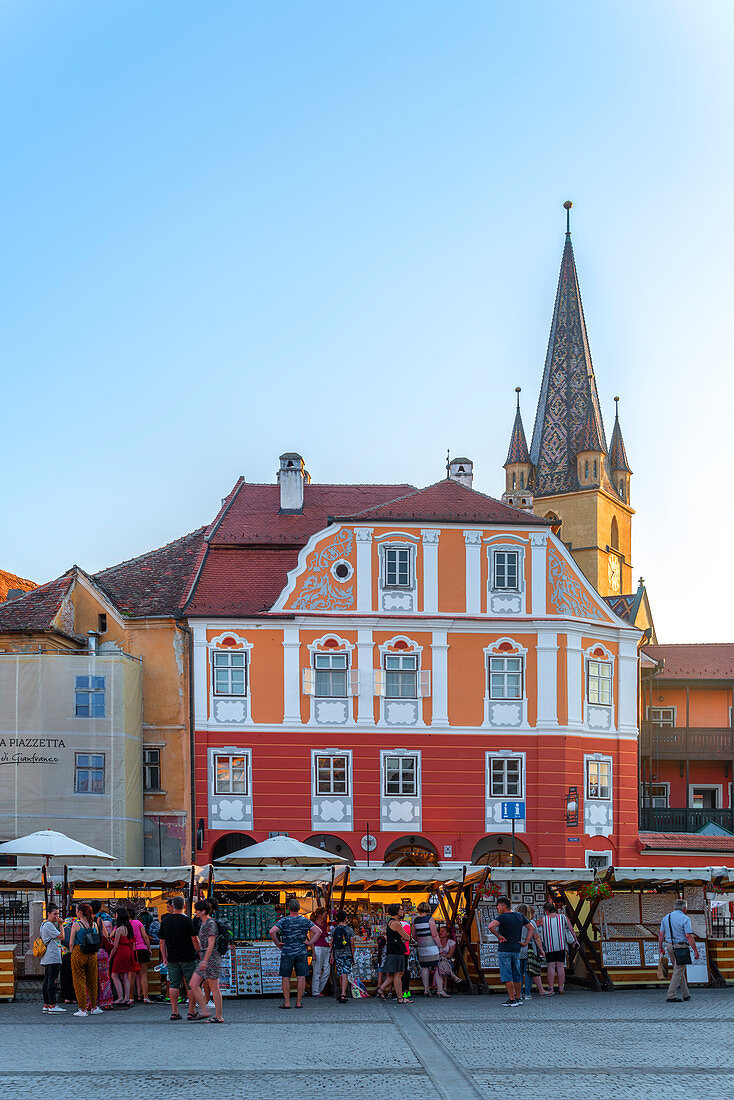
158, 581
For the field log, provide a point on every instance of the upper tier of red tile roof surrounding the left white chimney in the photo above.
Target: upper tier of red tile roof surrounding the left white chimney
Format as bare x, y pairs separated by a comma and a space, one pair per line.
251, 513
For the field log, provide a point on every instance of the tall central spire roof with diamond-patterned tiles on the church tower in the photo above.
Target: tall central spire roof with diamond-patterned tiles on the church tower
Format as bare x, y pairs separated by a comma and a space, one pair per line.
568, 394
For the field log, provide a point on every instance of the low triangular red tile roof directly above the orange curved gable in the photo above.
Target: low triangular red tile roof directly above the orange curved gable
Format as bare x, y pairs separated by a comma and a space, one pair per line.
446, 502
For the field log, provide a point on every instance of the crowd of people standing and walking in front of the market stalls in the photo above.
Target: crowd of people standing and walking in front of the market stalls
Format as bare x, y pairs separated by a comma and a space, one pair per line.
102, 961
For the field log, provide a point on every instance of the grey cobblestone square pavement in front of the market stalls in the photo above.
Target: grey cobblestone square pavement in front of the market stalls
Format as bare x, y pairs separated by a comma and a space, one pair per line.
611, 1046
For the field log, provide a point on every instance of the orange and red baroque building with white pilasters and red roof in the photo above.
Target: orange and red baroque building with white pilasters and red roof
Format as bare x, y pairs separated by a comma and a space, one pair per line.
390, 668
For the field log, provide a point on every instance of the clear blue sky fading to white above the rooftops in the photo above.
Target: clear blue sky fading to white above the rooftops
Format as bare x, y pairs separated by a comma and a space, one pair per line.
233, 229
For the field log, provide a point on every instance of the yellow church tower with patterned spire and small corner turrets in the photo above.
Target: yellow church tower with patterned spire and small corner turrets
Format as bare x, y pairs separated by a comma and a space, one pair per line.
574, 478
